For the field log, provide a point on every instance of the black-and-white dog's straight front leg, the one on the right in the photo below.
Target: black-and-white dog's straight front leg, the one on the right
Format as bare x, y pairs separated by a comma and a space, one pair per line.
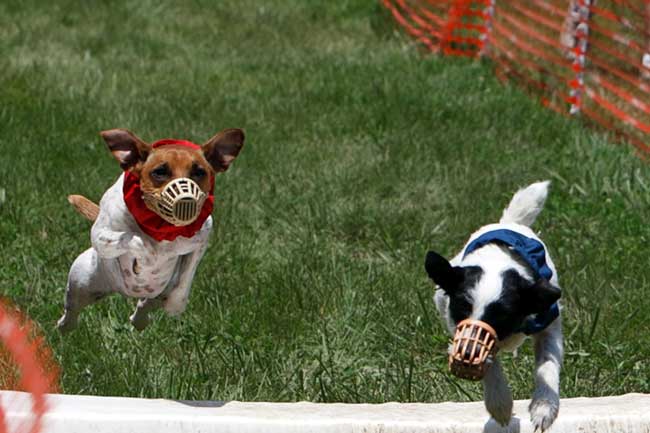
545, 404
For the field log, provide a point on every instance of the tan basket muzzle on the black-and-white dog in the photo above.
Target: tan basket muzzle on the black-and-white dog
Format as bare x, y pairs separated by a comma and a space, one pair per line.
473, 349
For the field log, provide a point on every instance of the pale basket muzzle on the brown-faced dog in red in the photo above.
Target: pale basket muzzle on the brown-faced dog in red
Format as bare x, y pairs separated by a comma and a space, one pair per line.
179, 203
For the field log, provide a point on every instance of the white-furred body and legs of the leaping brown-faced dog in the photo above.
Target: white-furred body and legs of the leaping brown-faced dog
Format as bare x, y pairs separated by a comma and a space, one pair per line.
163, 270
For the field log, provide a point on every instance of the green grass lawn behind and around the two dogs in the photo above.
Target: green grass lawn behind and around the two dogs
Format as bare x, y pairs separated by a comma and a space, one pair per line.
361, 155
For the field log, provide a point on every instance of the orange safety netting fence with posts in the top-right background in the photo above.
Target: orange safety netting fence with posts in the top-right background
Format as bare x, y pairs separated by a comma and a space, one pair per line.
587, 57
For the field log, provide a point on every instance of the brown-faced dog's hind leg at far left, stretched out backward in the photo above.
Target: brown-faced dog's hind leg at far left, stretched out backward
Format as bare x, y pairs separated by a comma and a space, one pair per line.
84, 288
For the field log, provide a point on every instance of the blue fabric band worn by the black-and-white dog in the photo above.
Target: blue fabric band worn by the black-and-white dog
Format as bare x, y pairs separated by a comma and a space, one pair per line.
532, 251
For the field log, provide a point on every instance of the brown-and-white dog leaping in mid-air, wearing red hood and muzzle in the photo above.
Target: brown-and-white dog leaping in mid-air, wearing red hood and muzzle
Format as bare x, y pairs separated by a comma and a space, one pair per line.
152, 225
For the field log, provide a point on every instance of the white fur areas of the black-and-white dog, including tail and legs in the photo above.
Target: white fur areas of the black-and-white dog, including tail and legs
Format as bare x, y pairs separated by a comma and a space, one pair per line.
520, 214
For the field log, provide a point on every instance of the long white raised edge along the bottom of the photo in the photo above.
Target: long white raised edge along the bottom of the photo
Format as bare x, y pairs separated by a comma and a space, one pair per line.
87, 414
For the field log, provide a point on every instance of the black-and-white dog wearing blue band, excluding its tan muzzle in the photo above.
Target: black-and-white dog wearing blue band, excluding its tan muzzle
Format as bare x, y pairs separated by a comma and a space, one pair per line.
505, 277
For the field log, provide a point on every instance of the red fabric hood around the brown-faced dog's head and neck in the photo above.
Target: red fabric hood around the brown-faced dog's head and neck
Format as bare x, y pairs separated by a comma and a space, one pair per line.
149, 221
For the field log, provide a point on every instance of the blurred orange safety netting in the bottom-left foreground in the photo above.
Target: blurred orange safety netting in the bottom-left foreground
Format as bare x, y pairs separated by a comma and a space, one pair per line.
26, 364
